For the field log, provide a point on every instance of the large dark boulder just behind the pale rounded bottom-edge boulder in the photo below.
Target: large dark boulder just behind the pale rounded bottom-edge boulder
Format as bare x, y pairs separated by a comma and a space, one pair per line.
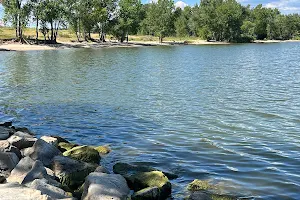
71, 173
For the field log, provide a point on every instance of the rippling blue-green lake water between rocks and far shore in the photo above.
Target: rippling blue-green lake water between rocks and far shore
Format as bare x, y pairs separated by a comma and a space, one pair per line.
228, 114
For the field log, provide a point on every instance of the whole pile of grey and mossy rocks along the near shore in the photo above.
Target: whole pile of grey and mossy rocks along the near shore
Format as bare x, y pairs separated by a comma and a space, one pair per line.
51, 167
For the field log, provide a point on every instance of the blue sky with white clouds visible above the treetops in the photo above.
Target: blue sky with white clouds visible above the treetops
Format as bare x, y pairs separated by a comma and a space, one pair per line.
285, 6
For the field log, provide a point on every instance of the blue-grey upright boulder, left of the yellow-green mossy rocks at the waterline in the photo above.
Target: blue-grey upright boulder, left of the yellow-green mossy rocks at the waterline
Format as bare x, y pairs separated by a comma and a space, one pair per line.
44, 152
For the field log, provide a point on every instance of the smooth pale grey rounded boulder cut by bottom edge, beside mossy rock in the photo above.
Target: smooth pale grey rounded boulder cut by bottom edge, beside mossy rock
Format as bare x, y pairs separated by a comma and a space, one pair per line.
101, 186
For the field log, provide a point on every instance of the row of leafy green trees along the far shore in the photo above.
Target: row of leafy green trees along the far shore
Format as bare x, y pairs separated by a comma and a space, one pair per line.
219, 20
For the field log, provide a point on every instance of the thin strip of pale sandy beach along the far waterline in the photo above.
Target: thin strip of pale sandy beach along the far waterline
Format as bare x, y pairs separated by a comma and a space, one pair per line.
70, 45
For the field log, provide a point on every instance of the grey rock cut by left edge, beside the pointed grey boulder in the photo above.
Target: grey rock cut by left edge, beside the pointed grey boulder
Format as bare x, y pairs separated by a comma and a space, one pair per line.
8, 162
